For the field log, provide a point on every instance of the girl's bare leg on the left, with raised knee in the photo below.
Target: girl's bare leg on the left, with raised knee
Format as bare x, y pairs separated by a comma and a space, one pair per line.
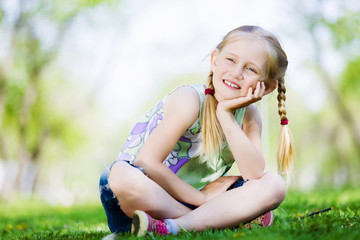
135, 191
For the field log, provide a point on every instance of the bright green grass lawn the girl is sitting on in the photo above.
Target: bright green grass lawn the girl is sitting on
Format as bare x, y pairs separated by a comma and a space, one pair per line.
37, 220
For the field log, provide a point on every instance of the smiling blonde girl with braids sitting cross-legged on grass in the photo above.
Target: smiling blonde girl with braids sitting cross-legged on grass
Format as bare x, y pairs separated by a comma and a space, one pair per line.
174, 162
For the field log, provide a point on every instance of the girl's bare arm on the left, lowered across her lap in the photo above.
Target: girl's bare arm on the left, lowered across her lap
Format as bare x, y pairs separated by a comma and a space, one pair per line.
181, 109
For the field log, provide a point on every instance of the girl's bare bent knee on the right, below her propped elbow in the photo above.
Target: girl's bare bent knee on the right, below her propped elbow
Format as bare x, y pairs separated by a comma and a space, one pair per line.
275, 189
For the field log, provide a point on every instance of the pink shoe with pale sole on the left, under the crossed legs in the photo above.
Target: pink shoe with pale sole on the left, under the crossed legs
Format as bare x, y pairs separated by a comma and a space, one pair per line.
142, 223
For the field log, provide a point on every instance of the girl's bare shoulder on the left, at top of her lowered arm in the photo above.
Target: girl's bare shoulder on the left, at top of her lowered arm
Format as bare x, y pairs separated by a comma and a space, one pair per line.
183, 103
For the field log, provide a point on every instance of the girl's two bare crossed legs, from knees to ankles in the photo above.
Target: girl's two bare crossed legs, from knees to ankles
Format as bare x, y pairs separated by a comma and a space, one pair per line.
135, 191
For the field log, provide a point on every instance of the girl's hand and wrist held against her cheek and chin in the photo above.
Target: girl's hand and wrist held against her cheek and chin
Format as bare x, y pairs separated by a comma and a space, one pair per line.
231, 105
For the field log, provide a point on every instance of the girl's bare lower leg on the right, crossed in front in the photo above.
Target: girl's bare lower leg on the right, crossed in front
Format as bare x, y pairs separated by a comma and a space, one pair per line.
238, 205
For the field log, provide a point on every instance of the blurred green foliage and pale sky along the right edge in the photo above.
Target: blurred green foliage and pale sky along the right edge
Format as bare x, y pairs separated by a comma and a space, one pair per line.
329, 144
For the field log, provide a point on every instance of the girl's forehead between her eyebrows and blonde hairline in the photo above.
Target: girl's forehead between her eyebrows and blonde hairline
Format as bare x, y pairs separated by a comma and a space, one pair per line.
248, 49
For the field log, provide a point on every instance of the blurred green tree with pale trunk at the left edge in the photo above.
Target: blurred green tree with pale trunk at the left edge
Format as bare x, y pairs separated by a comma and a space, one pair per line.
32, 32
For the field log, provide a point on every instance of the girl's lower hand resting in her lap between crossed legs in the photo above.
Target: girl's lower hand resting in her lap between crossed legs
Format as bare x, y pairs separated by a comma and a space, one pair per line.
220, 185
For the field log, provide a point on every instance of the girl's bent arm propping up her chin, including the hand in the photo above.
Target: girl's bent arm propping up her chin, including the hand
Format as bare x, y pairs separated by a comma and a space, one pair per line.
245, 144
